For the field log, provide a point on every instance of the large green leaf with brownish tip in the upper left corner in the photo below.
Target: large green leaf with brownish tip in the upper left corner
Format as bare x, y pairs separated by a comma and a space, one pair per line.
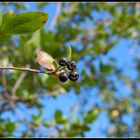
27, 22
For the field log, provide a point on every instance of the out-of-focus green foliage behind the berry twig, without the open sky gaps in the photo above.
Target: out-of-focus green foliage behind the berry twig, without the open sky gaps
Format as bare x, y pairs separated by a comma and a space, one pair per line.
95, 42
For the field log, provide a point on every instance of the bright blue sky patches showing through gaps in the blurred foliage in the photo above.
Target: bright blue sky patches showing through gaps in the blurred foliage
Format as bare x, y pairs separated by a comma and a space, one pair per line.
63, 102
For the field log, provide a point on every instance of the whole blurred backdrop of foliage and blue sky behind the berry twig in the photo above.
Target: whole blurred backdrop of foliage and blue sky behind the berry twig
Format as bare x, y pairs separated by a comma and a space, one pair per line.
105, 102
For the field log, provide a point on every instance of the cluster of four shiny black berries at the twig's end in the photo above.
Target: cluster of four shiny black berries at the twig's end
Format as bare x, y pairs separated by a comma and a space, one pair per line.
72, 74
